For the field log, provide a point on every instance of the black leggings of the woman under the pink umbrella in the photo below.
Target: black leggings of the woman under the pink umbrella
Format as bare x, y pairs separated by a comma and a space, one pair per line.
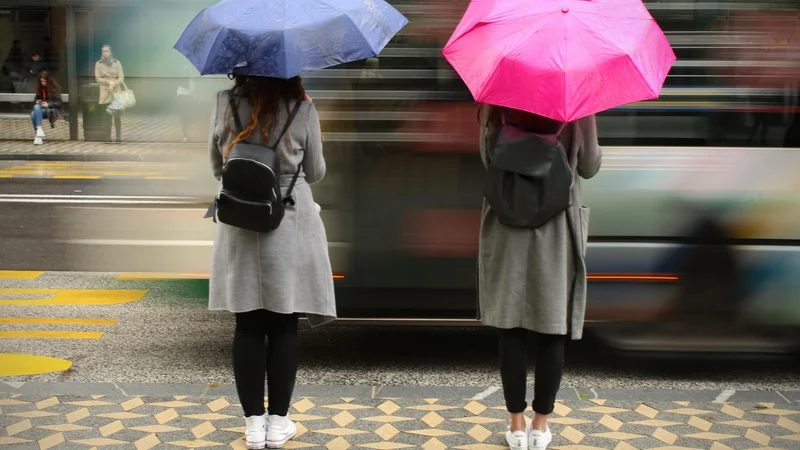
514, 369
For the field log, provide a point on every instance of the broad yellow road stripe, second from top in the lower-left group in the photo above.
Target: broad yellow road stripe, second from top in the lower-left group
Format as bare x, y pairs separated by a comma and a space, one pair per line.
71, 297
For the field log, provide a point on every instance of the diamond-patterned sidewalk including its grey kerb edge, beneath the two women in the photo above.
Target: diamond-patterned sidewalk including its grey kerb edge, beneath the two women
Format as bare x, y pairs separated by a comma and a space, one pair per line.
66, 416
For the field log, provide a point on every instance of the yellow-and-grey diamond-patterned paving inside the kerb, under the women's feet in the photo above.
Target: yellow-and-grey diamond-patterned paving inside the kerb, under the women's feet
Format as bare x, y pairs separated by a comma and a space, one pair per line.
334, 423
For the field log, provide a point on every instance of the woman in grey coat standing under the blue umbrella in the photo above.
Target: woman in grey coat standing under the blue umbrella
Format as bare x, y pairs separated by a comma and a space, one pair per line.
268, 279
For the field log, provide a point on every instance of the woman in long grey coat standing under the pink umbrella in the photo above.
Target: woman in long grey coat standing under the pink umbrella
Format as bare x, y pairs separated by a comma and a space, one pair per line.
533, 281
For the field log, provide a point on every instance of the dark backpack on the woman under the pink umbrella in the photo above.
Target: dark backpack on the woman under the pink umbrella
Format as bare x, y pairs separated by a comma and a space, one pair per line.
528, 181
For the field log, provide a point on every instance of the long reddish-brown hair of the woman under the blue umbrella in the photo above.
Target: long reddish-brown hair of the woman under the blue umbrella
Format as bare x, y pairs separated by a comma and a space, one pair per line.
265, 95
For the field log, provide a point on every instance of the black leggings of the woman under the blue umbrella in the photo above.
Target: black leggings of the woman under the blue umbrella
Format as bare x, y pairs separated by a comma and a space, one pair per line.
251, 357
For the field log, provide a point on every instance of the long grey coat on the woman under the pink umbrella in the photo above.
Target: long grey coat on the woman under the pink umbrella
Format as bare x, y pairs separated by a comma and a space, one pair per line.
536, 278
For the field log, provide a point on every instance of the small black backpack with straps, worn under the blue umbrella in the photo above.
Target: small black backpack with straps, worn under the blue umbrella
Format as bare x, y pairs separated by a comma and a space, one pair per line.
251, 192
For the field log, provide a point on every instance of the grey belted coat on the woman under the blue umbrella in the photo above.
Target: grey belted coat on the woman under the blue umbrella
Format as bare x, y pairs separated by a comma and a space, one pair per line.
286, 270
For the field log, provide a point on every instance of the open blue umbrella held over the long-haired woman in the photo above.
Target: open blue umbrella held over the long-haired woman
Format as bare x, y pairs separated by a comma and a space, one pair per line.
285, 38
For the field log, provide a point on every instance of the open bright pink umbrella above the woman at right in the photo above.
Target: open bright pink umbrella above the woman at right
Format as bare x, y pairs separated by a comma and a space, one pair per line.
562, 59
